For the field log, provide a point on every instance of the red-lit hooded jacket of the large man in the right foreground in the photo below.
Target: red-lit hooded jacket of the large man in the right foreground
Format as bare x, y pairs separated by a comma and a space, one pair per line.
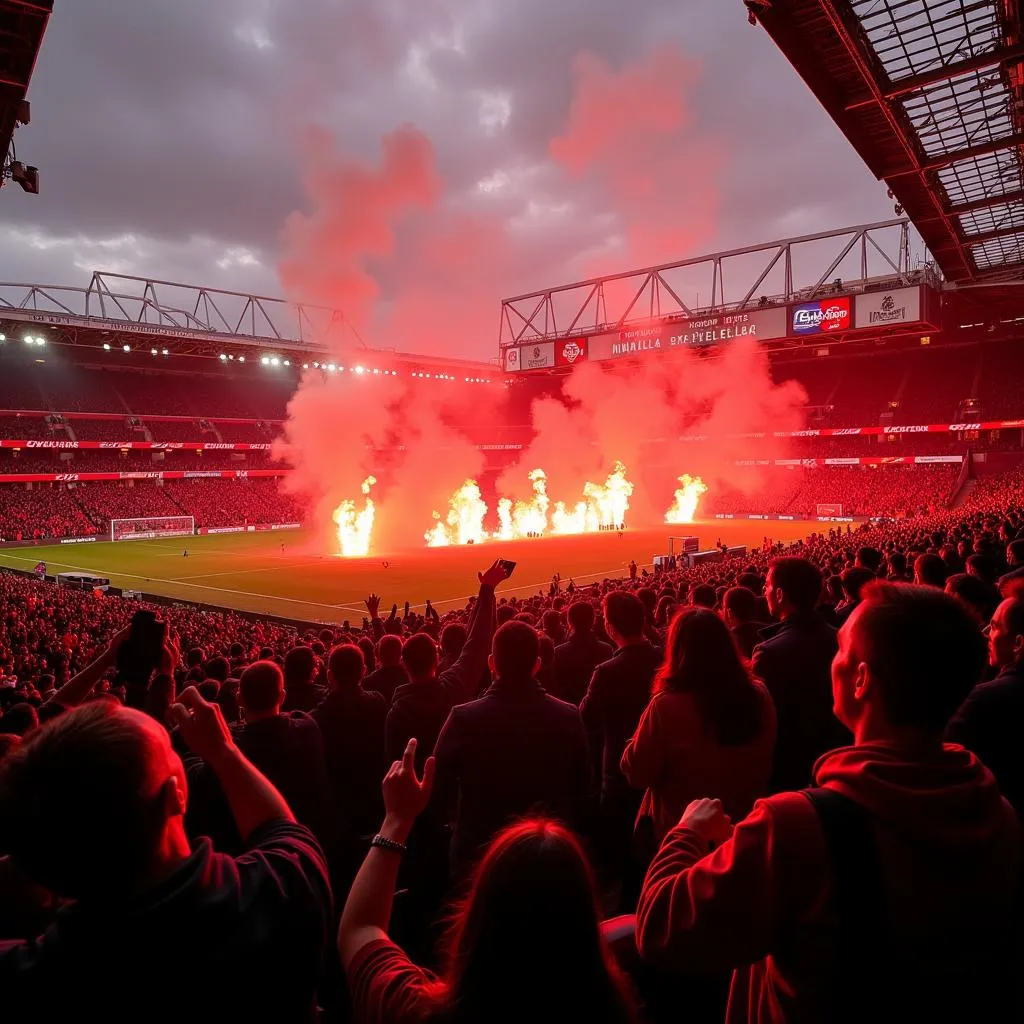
762, 905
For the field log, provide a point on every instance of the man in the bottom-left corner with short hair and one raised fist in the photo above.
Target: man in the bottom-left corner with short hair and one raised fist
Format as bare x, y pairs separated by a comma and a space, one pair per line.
93, 807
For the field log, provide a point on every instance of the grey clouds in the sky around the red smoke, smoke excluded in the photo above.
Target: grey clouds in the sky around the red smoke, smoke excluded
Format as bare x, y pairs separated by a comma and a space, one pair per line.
160, 122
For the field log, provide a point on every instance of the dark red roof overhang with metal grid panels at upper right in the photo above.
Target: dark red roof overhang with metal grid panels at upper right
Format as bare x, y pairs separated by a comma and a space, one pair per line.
931, 95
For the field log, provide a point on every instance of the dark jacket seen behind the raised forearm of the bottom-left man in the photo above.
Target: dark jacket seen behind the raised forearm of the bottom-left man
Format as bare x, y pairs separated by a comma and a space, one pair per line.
289, 750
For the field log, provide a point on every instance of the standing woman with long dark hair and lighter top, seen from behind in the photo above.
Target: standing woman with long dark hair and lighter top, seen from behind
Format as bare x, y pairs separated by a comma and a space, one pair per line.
709, 730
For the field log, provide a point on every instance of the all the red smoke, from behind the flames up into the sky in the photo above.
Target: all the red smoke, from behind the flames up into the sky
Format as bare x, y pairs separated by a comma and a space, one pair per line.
415, 269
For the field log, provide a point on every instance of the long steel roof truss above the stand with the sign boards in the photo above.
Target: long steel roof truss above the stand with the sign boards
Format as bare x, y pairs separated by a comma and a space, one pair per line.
698, 285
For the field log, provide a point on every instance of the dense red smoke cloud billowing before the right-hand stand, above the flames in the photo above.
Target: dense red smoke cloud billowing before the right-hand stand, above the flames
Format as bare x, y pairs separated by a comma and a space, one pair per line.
635, 414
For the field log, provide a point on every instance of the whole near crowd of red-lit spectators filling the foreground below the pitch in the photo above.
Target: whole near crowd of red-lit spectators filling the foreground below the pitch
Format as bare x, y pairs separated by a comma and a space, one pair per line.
594, 805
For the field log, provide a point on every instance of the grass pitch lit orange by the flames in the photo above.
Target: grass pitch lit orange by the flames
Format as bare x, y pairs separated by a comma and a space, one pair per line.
251, 572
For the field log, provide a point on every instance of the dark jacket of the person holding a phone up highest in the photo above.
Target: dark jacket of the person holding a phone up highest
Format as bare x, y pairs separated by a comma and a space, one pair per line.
420, 709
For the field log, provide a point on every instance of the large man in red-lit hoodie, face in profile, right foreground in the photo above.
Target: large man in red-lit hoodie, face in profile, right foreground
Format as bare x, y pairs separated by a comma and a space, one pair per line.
888, 893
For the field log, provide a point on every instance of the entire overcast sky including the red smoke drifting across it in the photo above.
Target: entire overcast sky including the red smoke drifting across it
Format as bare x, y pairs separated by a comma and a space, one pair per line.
415, 161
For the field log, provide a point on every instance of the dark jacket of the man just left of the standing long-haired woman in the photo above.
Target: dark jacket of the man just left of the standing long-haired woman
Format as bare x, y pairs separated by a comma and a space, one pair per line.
618, 695
